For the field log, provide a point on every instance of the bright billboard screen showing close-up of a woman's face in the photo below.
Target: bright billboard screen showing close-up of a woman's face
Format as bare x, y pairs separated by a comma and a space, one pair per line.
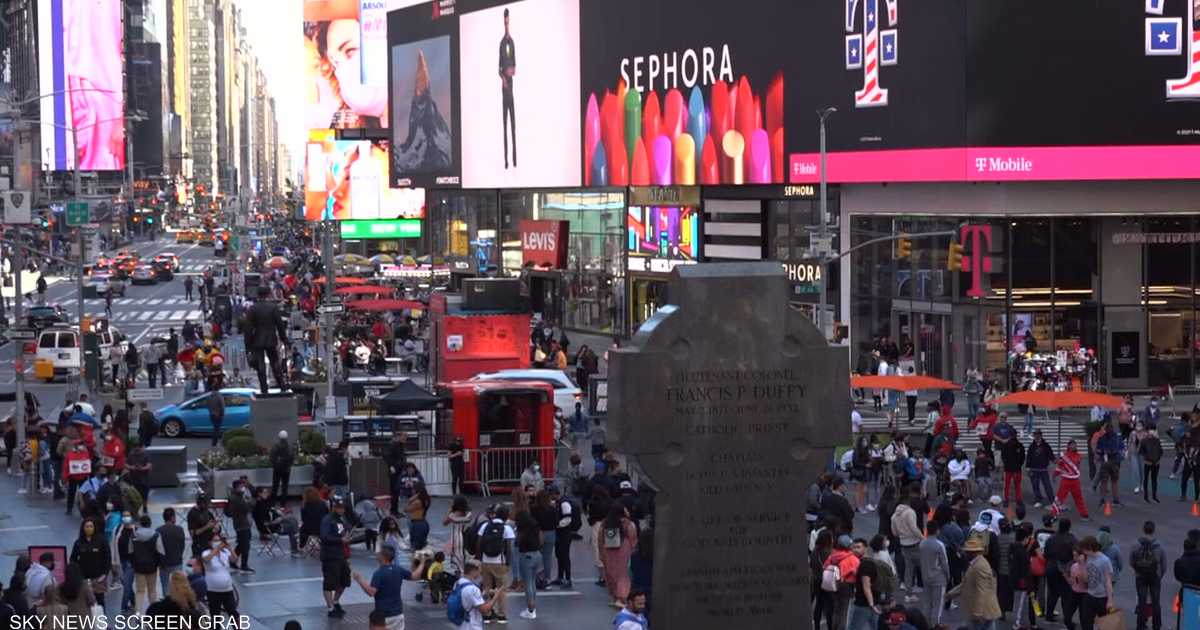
346, 71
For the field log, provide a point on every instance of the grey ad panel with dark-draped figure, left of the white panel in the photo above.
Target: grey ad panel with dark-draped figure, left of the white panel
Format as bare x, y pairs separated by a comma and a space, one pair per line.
423, 73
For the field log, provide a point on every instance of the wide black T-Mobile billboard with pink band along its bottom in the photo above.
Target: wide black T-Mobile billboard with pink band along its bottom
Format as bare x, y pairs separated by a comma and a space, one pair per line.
1000, 91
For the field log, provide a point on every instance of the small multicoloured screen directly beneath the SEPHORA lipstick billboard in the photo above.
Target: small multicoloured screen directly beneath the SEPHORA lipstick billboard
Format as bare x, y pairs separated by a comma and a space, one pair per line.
662, 238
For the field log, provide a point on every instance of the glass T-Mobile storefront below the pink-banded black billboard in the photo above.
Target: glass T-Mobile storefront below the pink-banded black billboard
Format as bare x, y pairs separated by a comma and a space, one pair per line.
1102, 301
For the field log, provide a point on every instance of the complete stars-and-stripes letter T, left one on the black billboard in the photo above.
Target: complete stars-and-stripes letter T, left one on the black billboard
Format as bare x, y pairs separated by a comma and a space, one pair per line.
871, 50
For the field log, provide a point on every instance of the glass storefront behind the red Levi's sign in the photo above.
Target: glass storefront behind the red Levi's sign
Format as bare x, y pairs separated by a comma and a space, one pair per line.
590, 293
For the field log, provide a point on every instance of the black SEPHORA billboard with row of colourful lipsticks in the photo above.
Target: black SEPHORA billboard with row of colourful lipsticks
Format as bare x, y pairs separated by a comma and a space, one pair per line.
685, 93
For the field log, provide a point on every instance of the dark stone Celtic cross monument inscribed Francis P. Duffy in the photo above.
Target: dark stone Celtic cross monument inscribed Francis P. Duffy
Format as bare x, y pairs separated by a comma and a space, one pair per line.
731, 404
